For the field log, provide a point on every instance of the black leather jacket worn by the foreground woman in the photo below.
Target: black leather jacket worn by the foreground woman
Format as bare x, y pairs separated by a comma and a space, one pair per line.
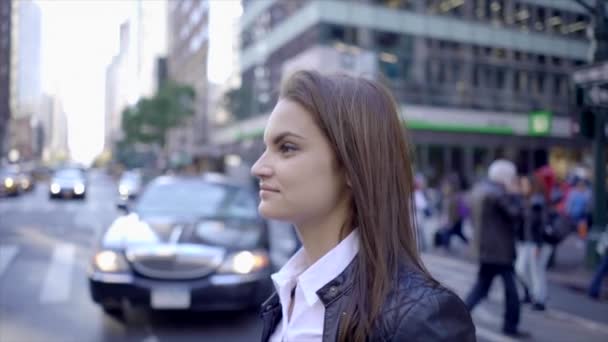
417, 310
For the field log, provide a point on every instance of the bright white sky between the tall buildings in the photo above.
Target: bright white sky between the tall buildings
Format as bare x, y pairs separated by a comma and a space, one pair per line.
79, 39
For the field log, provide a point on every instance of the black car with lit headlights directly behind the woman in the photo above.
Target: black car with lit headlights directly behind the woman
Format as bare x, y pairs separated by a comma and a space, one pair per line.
186, 243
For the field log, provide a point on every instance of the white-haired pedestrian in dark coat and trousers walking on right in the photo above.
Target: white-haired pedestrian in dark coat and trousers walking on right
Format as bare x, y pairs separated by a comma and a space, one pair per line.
496, 211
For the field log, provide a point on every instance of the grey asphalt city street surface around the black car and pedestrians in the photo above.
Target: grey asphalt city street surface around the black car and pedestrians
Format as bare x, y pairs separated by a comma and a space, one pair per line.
45, 247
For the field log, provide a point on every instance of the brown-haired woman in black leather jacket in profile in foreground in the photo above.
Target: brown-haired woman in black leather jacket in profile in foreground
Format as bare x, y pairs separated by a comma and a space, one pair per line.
337, 166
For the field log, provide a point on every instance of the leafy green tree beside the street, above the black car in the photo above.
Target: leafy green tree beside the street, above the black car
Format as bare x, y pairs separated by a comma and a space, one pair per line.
151, 118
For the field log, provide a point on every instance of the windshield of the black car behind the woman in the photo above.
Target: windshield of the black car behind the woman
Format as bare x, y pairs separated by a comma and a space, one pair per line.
197, 199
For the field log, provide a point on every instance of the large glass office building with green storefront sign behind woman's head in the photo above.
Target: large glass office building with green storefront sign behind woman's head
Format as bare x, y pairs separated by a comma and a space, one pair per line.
476, 79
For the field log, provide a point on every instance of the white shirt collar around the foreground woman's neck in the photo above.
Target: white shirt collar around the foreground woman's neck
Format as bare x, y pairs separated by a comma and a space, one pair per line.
324, 270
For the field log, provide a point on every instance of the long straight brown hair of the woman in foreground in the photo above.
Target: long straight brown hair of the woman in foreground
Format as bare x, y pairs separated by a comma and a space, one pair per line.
360, 119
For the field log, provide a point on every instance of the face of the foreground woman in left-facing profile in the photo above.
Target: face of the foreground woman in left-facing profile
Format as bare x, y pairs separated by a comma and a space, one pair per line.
299, 176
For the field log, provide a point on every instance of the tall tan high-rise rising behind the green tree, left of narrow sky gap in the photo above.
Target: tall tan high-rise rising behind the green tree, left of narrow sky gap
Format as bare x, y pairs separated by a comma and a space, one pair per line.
188, 44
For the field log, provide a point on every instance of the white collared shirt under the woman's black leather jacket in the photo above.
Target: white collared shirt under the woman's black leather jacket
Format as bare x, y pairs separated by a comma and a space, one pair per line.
308, 314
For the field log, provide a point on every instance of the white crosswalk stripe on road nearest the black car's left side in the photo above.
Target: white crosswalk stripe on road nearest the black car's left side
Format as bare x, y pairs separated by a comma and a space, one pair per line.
58, 280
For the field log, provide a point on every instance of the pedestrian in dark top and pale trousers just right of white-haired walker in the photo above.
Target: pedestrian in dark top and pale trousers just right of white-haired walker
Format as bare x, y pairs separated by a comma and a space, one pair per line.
533, 252
